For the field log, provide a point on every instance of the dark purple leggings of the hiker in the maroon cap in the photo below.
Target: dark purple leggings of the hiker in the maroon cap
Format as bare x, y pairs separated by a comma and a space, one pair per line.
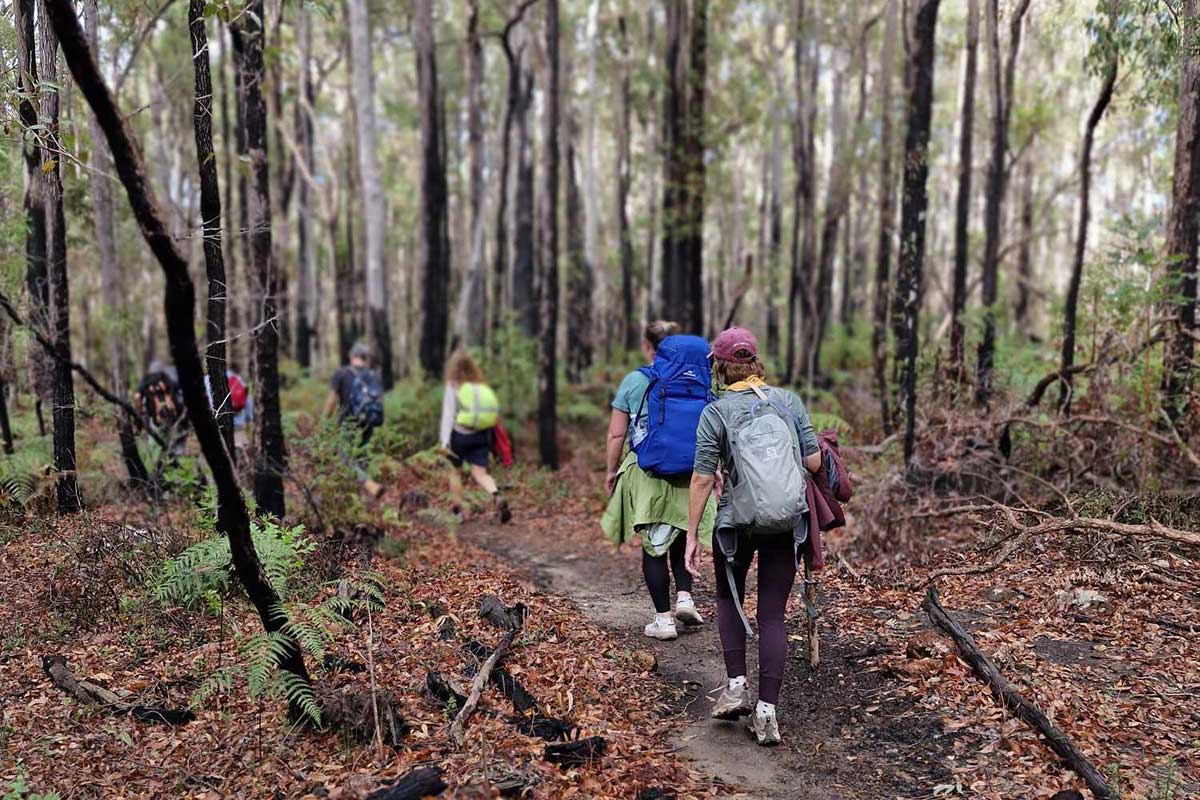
777, 574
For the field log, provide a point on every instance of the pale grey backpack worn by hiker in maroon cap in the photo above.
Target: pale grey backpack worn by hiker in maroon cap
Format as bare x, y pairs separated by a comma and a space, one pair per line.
766, 453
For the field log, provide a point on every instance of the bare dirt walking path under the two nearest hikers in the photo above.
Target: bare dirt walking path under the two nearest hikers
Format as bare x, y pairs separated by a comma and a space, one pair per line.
845, 736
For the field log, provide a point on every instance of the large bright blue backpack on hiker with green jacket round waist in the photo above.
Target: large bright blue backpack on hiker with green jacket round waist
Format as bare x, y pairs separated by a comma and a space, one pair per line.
681, 388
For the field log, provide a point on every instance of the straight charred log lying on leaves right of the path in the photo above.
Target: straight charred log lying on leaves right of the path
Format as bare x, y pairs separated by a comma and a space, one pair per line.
1015, 702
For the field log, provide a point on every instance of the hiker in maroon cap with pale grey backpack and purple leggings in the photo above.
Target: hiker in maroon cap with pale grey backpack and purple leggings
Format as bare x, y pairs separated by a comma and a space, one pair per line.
763, 440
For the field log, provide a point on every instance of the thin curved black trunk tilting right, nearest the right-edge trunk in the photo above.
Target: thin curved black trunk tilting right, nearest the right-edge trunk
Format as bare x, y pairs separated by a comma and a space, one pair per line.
1071, 309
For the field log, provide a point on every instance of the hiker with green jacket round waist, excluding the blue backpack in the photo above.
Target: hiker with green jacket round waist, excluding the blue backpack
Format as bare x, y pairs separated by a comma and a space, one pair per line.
644, 506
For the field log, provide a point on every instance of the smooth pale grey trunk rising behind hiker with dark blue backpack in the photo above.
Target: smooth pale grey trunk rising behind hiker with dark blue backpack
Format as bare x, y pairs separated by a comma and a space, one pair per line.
371, 182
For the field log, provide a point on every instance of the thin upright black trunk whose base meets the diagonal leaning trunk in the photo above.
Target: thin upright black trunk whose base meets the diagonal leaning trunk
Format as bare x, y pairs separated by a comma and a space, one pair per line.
211, 219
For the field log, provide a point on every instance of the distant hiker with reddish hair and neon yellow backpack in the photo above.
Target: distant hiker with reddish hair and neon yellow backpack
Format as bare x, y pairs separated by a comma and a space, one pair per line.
471, 413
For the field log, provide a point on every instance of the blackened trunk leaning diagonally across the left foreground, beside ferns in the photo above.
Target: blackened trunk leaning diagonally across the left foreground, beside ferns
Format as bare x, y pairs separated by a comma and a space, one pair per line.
179, 304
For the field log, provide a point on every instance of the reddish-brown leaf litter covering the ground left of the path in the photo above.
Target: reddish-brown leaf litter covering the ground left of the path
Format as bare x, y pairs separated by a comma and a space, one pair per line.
244, 748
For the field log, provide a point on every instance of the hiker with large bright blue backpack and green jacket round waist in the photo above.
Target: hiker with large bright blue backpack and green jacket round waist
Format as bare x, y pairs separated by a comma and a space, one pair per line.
656, 411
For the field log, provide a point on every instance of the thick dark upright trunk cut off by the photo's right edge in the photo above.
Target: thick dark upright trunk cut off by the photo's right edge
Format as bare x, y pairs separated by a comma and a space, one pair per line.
1183, 225
